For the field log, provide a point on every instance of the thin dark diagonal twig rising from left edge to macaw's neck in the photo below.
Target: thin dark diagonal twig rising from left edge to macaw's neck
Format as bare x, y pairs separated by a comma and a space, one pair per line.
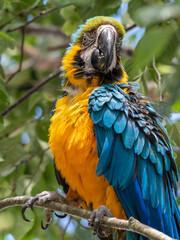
30, 92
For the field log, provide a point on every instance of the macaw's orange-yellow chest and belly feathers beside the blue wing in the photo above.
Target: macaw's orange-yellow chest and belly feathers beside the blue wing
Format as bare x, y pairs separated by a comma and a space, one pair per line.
73, 144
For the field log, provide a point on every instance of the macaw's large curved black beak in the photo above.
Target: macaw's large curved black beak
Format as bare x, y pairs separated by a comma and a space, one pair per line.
103, 55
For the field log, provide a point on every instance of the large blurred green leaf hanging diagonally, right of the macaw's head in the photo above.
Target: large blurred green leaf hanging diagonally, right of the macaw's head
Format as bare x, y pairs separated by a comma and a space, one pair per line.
152, 45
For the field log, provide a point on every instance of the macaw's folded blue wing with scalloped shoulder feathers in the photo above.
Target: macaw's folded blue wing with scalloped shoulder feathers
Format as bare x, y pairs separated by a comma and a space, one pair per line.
136, 157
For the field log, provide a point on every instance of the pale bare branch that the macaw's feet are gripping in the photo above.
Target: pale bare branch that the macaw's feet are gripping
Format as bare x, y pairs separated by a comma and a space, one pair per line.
131, 225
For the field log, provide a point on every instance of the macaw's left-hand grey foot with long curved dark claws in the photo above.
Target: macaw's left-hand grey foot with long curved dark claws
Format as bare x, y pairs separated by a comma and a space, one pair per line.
40, 199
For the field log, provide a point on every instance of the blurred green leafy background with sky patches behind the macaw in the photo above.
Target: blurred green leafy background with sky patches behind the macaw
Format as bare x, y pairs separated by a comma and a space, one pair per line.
33, 38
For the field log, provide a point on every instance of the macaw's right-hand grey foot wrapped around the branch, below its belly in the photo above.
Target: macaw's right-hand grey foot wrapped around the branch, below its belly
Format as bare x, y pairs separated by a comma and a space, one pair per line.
95, 221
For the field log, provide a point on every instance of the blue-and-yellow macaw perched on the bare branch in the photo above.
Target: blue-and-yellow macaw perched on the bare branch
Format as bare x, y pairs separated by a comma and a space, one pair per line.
109, 145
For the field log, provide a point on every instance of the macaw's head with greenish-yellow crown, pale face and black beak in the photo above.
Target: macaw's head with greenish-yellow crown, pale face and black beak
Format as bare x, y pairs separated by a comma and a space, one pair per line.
93, 58
